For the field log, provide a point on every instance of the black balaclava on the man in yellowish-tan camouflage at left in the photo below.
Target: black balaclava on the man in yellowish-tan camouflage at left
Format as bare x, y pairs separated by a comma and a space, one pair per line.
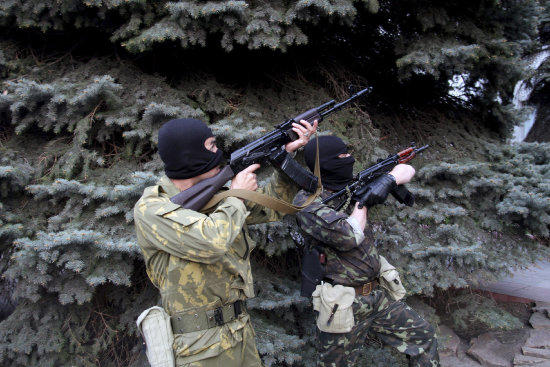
181, 148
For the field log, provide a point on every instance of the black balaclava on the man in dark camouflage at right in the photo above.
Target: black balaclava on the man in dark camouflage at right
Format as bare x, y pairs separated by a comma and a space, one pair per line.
336, 172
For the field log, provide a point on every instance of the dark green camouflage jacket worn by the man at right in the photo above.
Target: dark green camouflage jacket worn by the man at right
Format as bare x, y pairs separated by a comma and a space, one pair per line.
351, 258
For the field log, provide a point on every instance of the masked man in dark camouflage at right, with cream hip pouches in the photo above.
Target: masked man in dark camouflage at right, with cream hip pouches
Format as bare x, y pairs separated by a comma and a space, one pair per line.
360, 292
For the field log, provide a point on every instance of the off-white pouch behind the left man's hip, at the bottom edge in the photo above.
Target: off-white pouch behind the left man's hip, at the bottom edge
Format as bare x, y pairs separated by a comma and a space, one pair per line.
154, 325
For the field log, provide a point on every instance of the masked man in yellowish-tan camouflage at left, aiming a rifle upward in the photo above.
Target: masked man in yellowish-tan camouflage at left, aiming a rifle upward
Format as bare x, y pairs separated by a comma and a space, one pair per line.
201, 262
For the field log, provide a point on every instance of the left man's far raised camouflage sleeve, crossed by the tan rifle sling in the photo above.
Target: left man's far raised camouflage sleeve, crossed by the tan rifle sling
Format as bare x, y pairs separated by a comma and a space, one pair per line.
278, 186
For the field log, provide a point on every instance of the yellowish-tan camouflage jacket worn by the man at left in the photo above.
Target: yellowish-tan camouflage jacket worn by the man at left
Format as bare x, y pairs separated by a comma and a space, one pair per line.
200, 262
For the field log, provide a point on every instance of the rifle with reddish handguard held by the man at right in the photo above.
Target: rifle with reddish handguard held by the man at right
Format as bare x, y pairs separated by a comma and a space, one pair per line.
368, 175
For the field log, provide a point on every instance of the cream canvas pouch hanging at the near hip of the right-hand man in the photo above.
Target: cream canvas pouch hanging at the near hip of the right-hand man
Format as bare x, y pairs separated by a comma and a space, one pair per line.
334, 306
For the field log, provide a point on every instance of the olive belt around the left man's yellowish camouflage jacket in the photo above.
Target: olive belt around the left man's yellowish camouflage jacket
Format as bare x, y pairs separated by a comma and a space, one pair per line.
201, 320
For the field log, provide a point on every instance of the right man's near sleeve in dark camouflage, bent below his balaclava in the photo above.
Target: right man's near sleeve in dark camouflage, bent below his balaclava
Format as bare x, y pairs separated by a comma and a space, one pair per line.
325, 224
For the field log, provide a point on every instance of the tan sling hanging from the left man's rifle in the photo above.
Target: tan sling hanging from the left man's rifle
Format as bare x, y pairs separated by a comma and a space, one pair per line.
266, 200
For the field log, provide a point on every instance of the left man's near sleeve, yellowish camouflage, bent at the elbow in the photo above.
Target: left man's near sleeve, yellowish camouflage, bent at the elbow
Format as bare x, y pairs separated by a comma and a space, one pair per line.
189, 234
